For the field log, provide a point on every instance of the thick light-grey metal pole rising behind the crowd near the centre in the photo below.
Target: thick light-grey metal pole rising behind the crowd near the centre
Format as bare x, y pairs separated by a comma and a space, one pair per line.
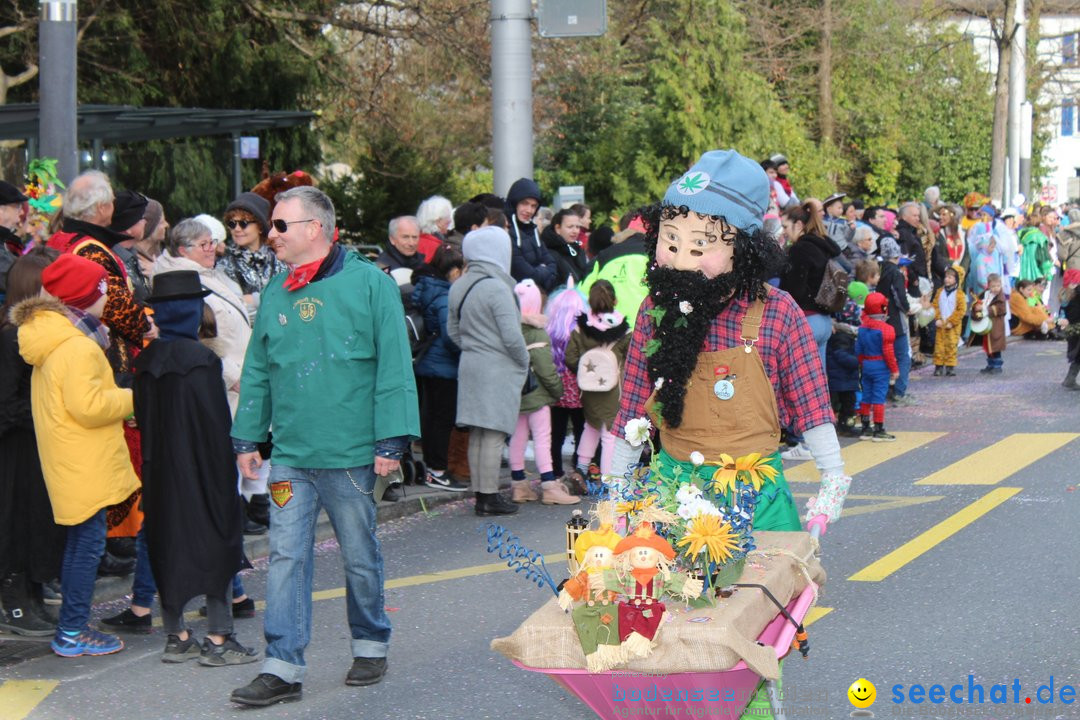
511, 91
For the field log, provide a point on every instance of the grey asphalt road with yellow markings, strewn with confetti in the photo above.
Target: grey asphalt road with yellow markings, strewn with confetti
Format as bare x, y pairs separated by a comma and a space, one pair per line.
957, 558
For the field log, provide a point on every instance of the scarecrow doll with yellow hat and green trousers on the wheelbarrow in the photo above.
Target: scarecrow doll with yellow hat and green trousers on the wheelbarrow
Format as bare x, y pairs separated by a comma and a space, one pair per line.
597, 620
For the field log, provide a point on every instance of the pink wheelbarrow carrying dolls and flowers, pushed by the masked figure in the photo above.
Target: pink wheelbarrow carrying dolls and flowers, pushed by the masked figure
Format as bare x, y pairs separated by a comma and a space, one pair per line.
724, 695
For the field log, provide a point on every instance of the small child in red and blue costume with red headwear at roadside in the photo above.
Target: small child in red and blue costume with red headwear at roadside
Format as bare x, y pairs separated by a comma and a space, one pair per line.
874, 346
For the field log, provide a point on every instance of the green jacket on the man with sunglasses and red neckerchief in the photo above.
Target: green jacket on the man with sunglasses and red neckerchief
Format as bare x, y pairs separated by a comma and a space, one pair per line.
329, 369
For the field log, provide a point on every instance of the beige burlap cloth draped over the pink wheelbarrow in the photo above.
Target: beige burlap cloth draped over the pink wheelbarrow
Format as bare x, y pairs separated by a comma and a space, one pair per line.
781, 563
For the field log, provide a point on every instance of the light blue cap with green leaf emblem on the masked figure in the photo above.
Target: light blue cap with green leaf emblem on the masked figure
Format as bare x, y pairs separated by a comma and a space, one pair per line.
724, 184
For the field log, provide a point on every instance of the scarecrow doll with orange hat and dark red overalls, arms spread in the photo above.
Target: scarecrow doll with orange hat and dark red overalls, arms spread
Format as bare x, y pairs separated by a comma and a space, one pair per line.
643, 574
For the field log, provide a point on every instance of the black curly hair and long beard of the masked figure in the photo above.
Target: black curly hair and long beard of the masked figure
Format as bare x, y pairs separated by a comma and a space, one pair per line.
682, 336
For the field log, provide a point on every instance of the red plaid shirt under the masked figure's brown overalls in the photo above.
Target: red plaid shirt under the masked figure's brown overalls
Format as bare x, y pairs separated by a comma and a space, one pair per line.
788, 350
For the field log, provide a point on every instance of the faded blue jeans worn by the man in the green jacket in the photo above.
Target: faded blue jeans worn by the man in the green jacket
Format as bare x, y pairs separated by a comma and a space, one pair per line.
347, 495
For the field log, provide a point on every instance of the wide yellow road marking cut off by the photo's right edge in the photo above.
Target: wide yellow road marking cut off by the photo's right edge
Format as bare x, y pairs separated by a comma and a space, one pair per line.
998, 461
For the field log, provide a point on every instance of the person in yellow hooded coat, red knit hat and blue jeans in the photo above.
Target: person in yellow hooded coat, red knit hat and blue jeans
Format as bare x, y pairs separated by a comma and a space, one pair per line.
78, 420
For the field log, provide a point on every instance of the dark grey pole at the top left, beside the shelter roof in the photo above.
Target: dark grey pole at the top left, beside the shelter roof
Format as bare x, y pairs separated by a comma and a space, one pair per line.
59, 115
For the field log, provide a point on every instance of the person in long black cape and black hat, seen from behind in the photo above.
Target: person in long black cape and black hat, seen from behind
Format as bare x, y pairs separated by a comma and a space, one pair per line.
194, 511
